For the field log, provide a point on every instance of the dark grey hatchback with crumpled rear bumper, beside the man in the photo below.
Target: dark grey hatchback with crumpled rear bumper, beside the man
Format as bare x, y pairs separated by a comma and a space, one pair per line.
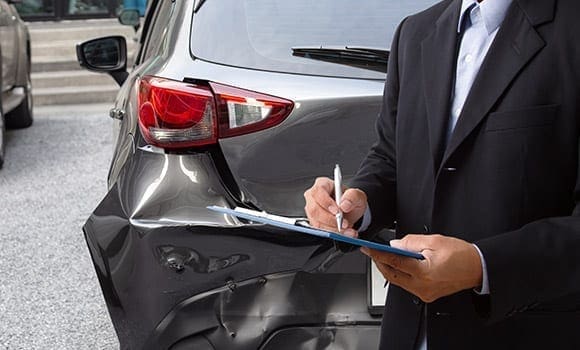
238, 103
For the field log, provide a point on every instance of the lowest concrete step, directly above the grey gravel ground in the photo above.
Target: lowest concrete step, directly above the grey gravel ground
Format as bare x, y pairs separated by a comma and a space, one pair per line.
74, 95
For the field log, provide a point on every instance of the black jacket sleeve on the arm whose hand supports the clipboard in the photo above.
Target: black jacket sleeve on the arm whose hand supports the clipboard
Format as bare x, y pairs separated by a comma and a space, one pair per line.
535, 267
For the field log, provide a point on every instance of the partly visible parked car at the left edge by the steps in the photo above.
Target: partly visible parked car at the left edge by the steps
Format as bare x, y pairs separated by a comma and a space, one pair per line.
16, 103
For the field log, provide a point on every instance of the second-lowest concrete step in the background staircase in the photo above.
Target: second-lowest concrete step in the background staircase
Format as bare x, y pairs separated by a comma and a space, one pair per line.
70, 78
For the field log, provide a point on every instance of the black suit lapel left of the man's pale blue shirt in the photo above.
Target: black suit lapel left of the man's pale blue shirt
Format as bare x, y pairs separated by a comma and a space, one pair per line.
438, 52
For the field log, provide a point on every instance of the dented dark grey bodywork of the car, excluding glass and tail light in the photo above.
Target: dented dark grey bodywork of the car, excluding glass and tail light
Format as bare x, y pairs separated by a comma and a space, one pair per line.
178, 276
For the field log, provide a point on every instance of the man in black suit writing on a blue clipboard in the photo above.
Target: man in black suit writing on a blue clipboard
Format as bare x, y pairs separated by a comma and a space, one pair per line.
478, 142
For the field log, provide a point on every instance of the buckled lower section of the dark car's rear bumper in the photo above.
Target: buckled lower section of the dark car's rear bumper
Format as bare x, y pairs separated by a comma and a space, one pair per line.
297, 310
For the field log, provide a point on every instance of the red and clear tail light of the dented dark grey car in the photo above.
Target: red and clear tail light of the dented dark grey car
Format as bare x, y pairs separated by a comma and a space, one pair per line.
176, 115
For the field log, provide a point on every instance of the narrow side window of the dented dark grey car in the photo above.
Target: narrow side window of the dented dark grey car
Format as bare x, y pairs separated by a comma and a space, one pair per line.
158, 29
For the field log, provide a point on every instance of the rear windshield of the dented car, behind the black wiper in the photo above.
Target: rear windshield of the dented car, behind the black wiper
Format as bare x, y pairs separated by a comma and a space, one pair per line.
260, 34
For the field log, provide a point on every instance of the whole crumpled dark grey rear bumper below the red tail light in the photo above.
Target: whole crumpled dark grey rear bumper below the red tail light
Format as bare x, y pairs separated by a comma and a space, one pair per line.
174, 274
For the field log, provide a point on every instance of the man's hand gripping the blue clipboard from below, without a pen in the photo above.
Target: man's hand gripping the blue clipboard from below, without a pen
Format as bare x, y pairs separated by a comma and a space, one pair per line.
451, 265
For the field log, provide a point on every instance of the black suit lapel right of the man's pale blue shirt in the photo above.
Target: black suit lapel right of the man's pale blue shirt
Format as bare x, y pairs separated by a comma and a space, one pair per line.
516, 43
